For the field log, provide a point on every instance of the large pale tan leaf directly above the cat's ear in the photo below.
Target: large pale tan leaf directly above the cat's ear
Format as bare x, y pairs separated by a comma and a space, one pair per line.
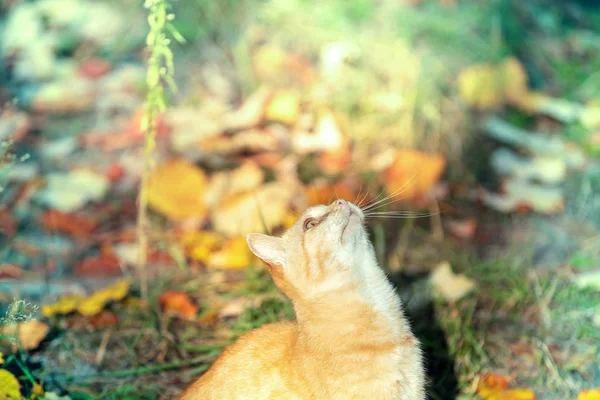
256, 211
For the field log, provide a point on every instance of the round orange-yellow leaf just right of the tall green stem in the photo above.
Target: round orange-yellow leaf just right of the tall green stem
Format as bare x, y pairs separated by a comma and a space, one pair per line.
176, 190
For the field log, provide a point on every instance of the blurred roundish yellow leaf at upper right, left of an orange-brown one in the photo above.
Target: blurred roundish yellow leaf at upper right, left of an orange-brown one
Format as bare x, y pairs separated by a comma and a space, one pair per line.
480, 86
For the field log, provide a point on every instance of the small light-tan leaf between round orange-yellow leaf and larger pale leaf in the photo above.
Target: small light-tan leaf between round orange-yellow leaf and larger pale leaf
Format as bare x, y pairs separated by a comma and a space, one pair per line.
224, 184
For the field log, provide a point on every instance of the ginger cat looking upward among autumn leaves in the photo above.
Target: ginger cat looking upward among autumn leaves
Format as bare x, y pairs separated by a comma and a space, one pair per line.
350, 339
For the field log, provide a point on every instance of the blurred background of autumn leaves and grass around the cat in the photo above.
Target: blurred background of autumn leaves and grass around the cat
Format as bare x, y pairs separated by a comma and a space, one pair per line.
477, 122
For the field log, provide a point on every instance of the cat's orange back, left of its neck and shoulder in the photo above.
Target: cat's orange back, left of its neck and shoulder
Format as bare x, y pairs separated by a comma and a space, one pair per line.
250, 368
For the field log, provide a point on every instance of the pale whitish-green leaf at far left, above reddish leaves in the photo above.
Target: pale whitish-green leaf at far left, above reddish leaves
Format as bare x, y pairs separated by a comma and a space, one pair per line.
68, 192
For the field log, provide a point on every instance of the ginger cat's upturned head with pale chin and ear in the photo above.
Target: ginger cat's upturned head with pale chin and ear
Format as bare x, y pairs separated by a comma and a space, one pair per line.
323, 250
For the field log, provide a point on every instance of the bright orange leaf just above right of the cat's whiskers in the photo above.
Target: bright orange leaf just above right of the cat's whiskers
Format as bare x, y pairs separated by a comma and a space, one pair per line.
413, 175
